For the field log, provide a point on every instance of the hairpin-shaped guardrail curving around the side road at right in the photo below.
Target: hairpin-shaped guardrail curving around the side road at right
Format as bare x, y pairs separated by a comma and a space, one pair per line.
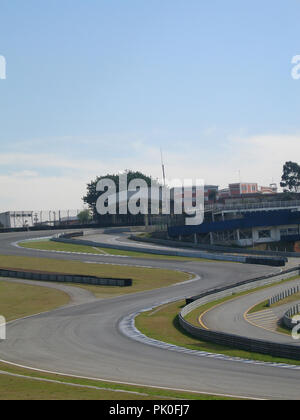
288, 351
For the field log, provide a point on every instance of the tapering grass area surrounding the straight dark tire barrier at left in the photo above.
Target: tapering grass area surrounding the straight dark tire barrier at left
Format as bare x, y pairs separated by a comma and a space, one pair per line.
143, 278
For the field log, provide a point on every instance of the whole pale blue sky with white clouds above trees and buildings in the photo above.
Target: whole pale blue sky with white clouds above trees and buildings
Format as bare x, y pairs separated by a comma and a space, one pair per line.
99, 86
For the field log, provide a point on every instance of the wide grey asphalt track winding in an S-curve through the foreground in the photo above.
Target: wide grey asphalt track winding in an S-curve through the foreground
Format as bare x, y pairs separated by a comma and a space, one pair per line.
85, 340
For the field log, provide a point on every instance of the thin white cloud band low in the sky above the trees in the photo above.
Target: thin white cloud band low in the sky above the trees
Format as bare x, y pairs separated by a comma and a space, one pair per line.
259, 159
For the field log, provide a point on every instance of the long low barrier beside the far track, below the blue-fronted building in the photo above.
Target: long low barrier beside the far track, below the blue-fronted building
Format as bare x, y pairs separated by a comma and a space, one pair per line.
231, 258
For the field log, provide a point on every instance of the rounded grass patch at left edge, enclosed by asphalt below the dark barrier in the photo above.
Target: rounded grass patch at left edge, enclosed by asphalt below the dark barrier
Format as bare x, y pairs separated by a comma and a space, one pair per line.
20, 300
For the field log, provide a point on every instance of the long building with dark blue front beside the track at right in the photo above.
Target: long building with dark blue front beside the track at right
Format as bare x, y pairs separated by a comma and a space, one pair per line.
247, 220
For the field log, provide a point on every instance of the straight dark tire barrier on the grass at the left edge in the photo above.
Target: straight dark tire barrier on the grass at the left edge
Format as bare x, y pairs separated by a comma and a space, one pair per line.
64, 278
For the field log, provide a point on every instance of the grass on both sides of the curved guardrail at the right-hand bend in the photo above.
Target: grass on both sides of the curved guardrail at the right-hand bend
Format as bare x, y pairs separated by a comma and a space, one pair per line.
162, 324
